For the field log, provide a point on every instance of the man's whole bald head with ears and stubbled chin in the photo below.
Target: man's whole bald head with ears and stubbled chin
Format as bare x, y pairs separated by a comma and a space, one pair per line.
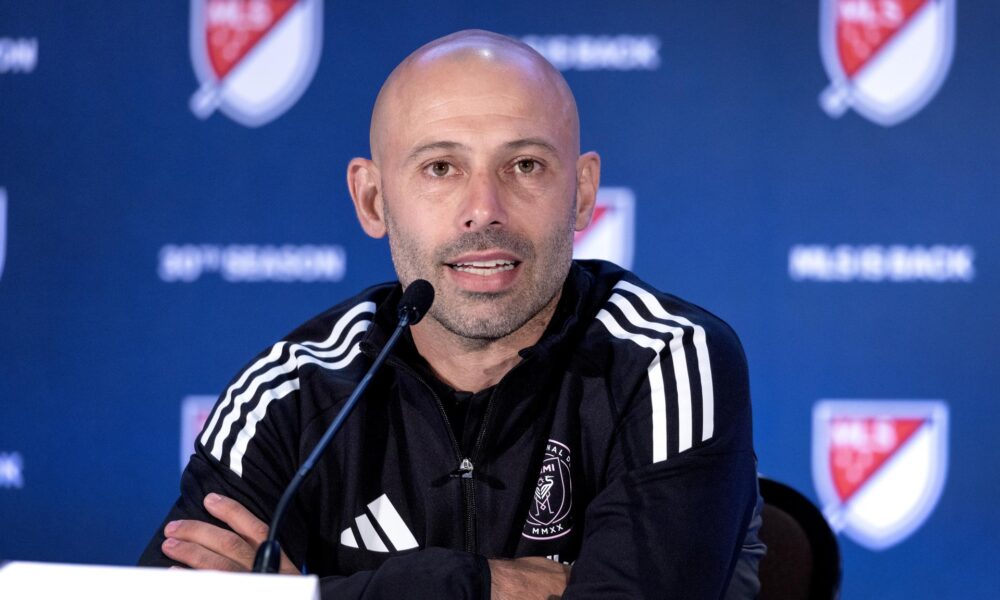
477, 179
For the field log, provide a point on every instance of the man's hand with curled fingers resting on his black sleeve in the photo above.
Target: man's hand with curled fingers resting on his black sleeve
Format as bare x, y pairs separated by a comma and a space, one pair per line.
204, 546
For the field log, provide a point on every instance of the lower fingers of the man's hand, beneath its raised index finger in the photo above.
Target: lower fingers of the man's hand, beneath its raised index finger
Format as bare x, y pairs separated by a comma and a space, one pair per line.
205, 546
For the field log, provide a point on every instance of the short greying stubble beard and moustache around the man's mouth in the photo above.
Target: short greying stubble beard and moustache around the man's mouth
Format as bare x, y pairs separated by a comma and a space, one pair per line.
481, 318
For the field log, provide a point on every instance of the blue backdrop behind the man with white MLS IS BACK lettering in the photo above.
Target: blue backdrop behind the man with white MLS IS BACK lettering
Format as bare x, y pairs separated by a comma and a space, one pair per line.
146, 254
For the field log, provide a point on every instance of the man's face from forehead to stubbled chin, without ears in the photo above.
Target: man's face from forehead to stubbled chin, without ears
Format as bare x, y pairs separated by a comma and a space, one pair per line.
479, 181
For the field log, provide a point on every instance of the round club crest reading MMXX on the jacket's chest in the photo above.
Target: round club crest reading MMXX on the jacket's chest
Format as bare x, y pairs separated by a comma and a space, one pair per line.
550, 515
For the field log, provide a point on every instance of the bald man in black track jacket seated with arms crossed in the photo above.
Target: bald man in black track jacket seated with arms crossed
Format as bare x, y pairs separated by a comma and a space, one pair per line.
545, 411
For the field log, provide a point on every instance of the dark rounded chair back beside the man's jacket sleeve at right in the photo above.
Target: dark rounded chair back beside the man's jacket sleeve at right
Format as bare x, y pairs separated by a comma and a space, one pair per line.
803, 558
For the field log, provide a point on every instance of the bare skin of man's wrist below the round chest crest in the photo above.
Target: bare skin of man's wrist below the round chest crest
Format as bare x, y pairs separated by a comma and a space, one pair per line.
529, 577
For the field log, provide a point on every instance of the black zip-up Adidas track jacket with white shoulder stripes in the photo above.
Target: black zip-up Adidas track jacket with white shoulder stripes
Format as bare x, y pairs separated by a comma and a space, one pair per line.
621, 444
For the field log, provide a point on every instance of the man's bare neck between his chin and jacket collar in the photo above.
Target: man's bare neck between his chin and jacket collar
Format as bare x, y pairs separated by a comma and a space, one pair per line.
474, 365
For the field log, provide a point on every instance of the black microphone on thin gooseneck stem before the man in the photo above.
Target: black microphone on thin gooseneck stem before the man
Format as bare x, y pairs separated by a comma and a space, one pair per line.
416, 300
